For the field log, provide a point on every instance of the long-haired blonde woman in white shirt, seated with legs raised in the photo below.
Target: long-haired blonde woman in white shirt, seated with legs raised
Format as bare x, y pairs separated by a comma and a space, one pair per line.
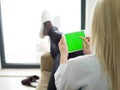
99, 71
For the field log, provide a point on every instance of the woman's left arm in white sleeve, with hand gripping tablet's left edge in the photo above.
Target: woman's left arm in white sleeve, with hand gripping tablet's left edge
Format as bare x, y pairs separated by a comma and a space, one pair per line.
63, 62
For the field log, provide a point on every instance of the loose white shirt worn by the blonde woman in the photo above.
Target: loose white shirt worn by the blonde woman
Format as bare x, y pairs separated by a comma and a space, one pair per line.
81, 72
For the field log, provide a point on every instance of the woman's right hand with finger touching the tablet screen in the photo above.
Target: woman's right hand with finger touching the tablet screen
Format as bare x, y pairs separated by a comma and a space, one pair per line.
86, 45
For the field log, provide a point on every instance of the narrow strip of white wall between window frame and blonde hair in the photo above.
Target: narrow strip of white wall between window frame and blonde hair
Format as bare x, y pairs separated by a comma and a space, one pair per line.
89, 14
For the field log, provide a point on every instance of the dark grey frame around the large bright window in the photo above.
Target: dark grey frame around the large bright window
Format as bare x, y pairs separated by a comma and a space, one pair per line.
16, 65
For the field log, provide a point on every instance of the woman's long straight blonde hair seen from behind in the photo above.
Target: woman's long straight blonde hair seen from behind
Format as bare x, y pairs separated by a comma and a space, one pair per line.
106, 39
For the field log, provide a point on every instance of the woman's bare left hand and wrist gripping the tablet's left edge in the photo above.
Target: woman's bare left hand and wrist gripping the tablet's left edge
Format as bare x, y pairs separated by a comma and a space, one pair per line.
63, 51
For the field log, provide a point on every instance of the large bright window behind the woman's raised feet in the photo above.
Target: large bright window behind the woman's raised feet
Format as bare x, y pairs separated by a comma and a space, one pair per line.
21, 21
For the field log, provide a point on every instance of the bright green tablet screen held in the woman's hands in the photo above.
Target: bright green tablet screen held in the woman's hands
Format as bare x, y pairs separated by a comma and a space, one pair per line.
73, 41
